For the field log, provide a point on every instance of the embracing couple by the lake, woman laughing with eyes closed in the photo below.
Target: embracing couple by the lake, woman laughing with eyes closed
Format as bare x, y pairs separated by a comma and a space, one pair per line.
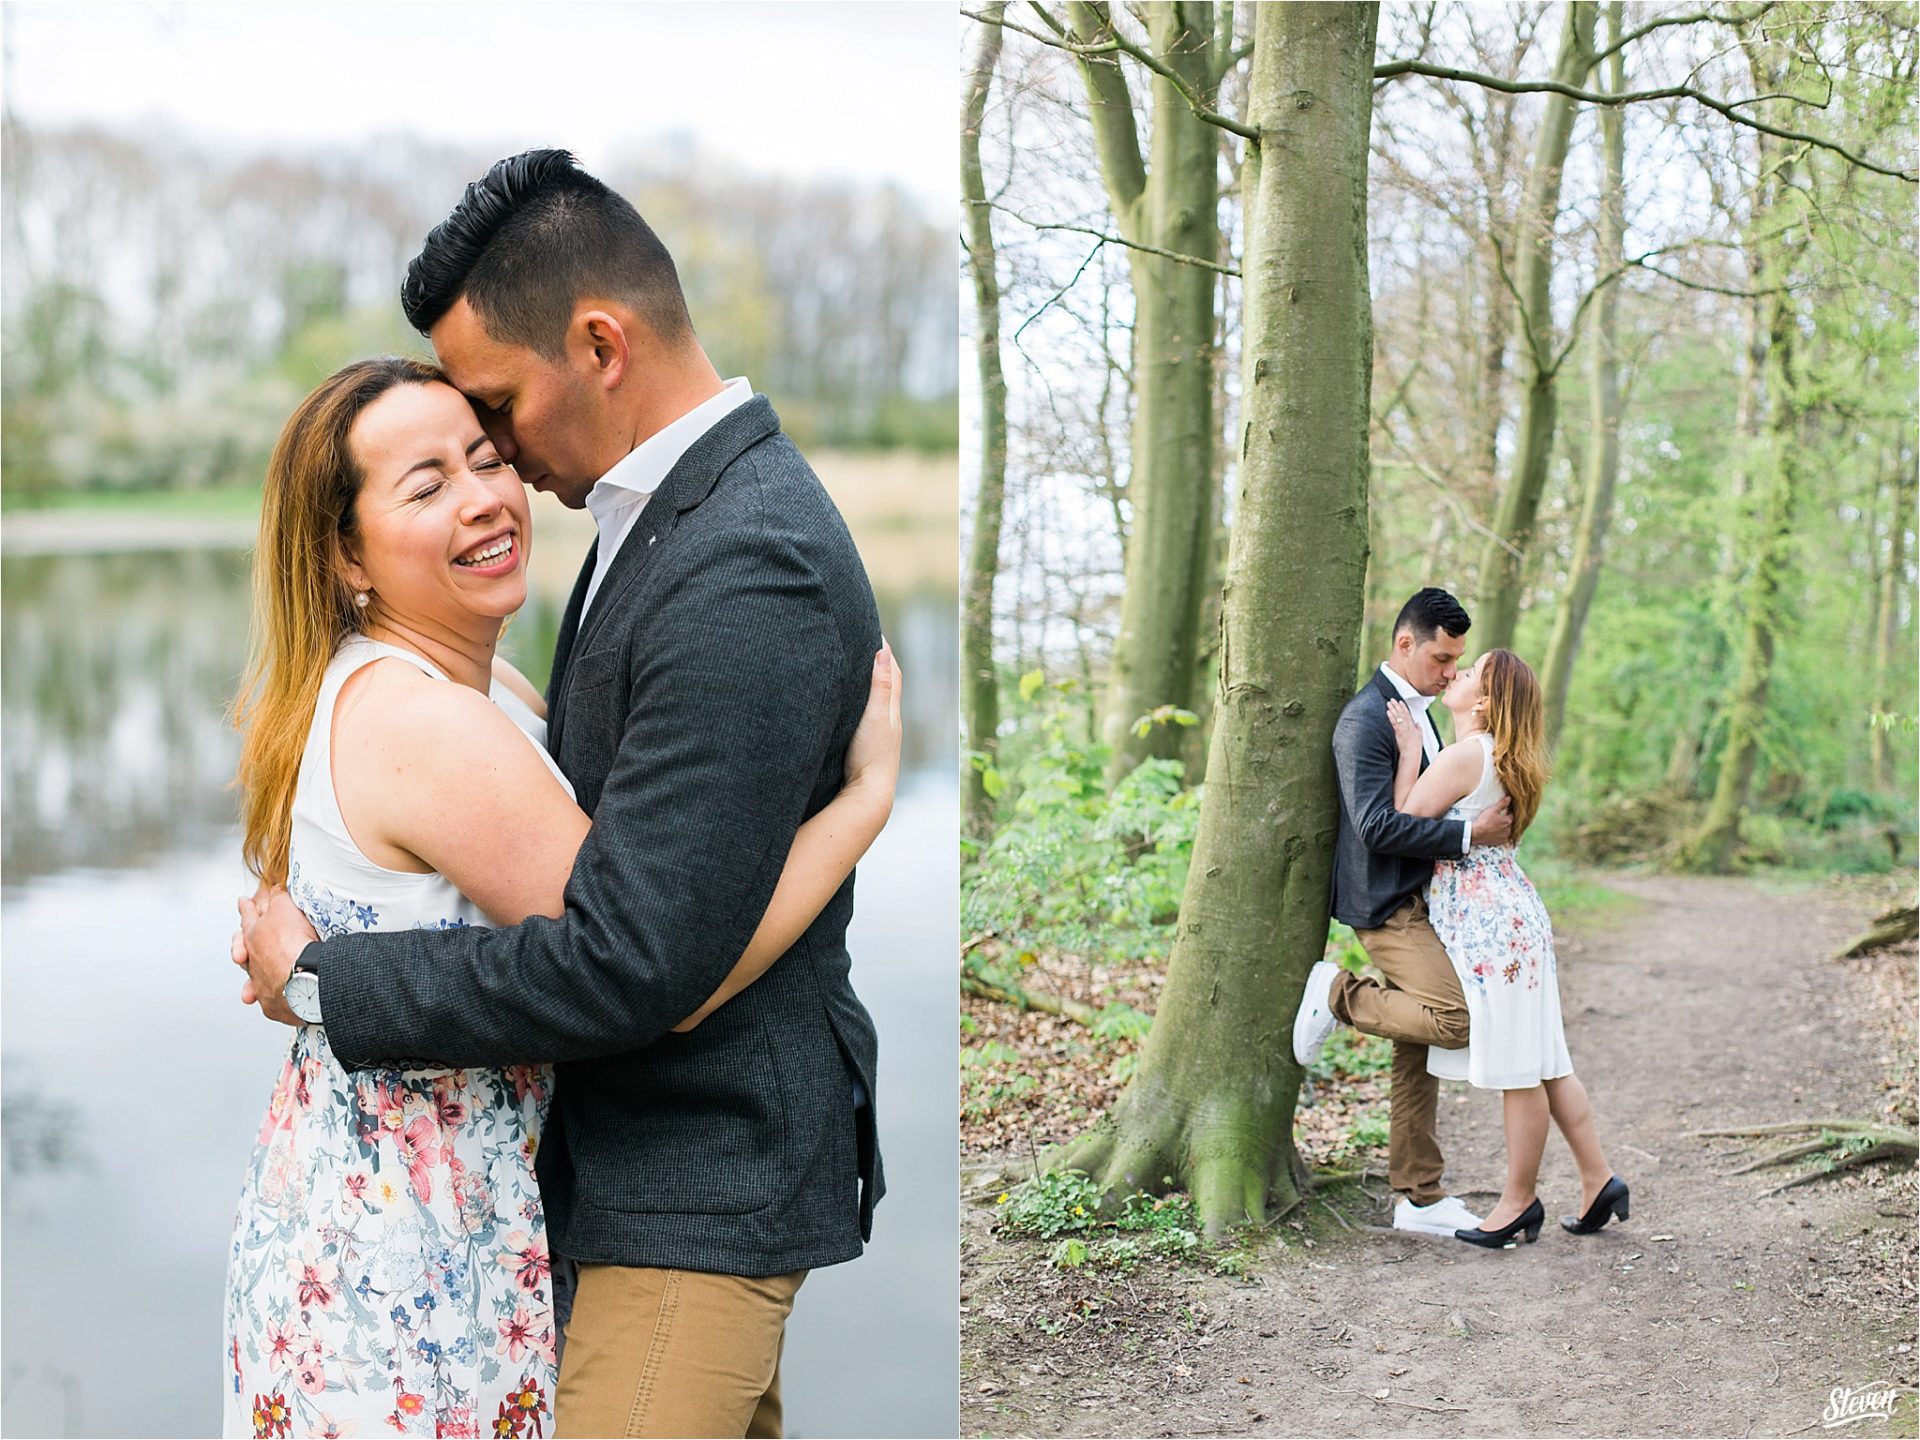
594, 938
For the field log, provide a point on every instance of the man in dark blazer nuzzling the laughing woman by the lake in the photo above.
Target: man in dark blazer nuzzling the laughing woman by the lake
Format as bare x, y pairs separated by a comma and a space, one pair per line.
711, 669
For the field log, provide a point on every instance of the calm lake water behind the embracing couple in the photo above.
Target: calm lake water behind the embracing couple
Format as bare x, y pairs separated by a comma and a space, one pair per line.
133, 1082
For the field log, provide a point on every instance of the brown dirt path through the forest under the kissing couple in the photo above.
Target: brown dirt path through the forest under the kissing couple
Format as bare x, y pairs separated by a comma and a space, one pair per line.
1708, 1314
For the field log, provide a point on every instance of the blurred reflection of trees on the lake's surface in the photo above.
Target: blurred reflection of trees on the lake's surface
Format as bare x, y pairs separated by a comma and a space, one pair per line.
120, 669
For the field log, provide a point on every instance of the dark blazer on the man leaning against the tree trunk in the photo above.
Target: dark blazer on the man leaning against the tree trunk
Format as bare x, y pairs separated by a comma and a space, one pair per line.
1381, 855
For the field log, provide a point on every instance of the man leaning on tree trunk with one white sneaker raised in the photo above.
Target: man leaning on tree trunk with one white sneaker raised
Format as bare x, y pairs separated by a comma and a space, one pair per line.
1383, 861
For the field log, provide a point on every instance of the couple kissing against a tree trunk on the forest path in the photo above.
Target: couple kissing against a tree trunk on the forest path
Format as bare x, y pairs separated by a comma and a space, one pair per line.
1428, 878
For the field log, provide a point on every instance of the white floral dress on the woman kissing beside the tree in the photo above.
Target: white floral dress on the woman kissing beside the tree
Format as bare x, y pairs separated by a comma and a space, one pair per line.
1499, 936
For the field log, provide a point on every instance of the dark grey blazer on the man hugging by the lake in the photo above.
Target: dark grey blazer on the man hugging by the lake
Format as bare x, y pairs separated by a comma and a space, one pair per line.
702, 713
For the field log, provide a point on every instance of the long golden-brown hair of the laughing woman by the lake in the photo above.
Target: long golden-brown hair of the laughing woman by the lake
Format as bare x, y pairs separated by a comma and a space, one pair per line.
302, 602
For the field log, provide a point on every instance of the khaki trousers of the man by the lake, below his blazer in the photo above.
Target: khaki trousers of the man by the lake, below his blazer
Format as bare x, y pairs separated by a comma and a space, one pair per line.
673, 1353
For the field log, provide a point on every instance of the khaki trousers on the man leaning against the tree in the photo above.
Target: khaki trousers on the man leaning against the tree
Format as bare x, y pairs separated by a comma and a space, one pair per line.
1418, 1003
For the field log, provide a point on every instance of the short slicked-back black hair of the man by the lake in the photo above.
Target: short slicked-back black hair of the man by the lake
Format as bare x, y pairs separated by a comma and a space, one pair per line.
529, 239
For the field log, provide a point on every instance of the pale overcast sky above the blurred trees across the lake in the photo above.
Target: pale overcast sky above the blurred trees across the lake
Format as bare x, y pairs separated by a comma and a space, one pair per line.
850, 91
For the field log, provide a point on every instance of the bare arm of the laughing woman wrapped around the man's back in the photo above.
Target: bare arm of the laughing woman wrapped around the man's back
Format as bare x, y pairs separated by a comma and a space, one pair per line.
406, 742
